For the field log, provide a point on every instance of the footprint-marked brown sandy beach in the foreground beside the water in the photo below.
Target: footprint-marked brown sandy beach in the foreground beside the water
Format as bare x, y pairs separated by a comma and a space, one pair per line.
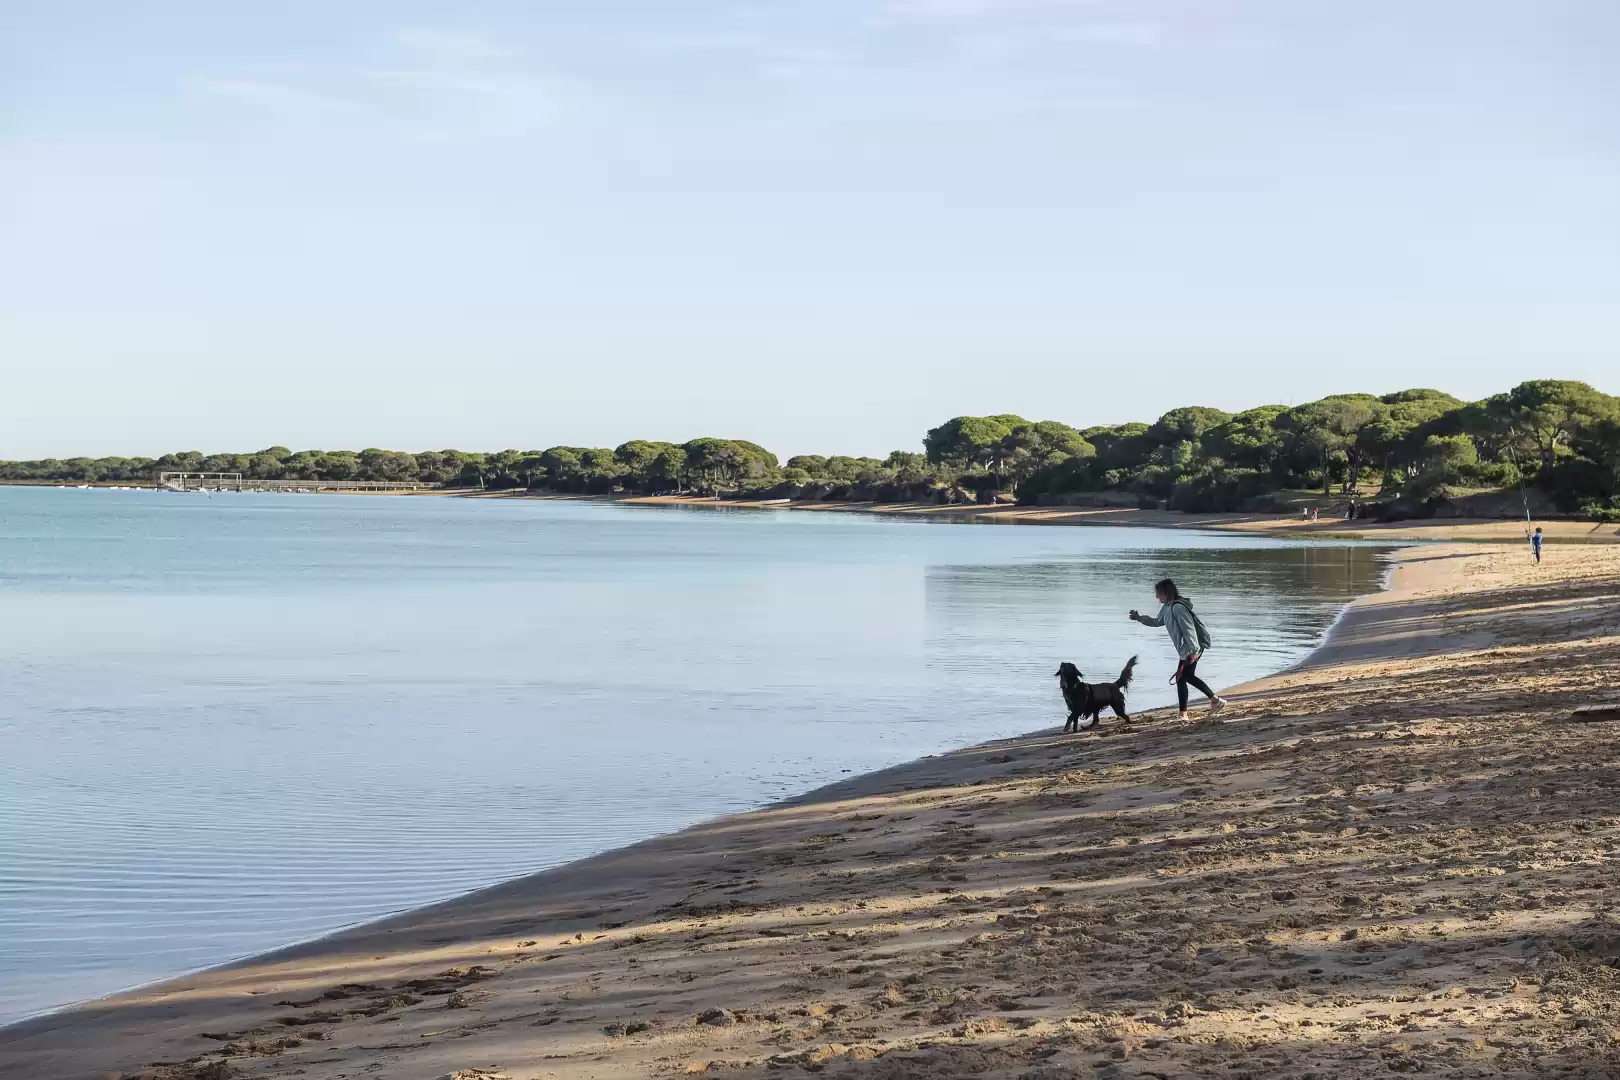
1394, 859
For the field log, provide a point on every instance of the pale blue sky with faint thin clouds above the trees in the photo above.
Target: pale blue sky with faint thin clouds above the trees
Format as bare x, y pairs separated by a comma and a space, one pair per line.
822, 226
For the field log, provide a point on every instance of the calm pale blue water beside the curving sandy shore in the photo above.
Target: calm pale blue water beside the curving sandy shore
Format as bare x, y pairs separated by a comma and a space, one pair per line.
239, 721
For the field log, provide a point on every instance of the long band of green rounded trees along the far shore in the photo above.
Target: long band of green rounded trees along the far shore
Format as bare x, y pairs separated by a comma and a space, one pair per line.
1396, 453
